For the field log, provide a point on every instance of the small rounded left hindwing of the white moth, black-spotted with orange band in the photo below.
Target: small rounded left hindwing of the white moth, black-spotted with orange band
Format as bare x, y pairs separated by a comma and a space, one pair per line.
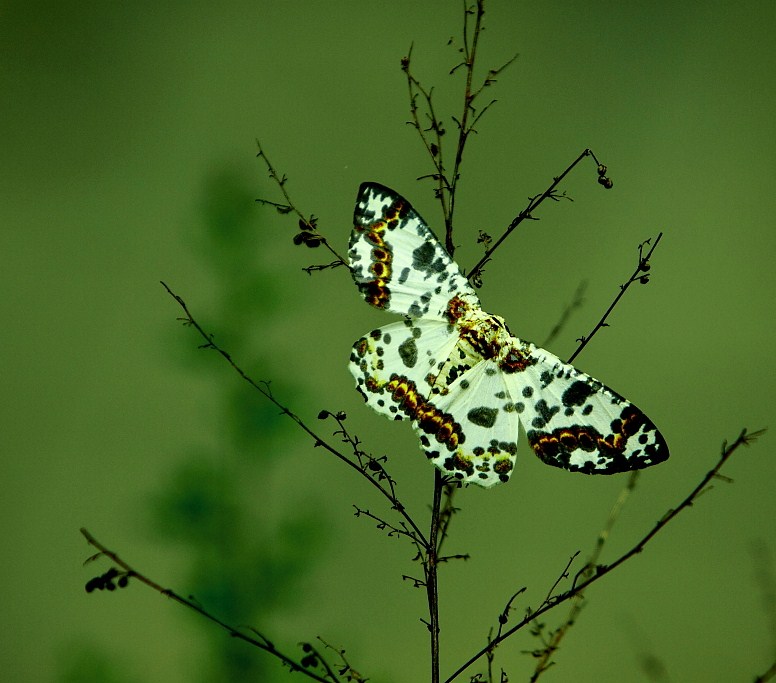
395, 366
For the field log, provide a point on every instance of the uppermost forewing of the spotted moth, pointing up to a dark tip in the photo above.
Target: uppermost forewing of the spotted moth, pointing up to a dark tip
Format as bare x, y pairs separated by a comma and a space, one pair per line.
396, 261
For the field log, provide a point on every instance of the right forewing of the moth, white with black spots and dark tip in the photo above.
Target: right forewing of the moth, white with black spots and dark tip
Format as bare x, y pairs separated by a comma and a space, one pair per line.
573, 421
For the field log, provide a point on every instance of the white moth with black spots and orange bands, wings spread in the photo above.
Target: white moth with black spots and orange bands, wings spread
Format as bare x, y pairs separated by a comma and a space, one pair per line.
460, 377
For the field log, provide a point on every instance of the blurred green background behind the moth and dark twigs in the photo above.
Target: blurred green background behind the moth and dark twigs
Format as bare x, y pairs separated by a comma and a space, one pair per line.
128, 156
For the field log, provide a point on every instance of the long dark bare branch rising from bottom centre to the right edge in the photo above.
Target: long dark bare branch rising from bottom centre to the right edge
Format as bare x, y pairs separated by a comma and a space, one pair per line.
744, 439
